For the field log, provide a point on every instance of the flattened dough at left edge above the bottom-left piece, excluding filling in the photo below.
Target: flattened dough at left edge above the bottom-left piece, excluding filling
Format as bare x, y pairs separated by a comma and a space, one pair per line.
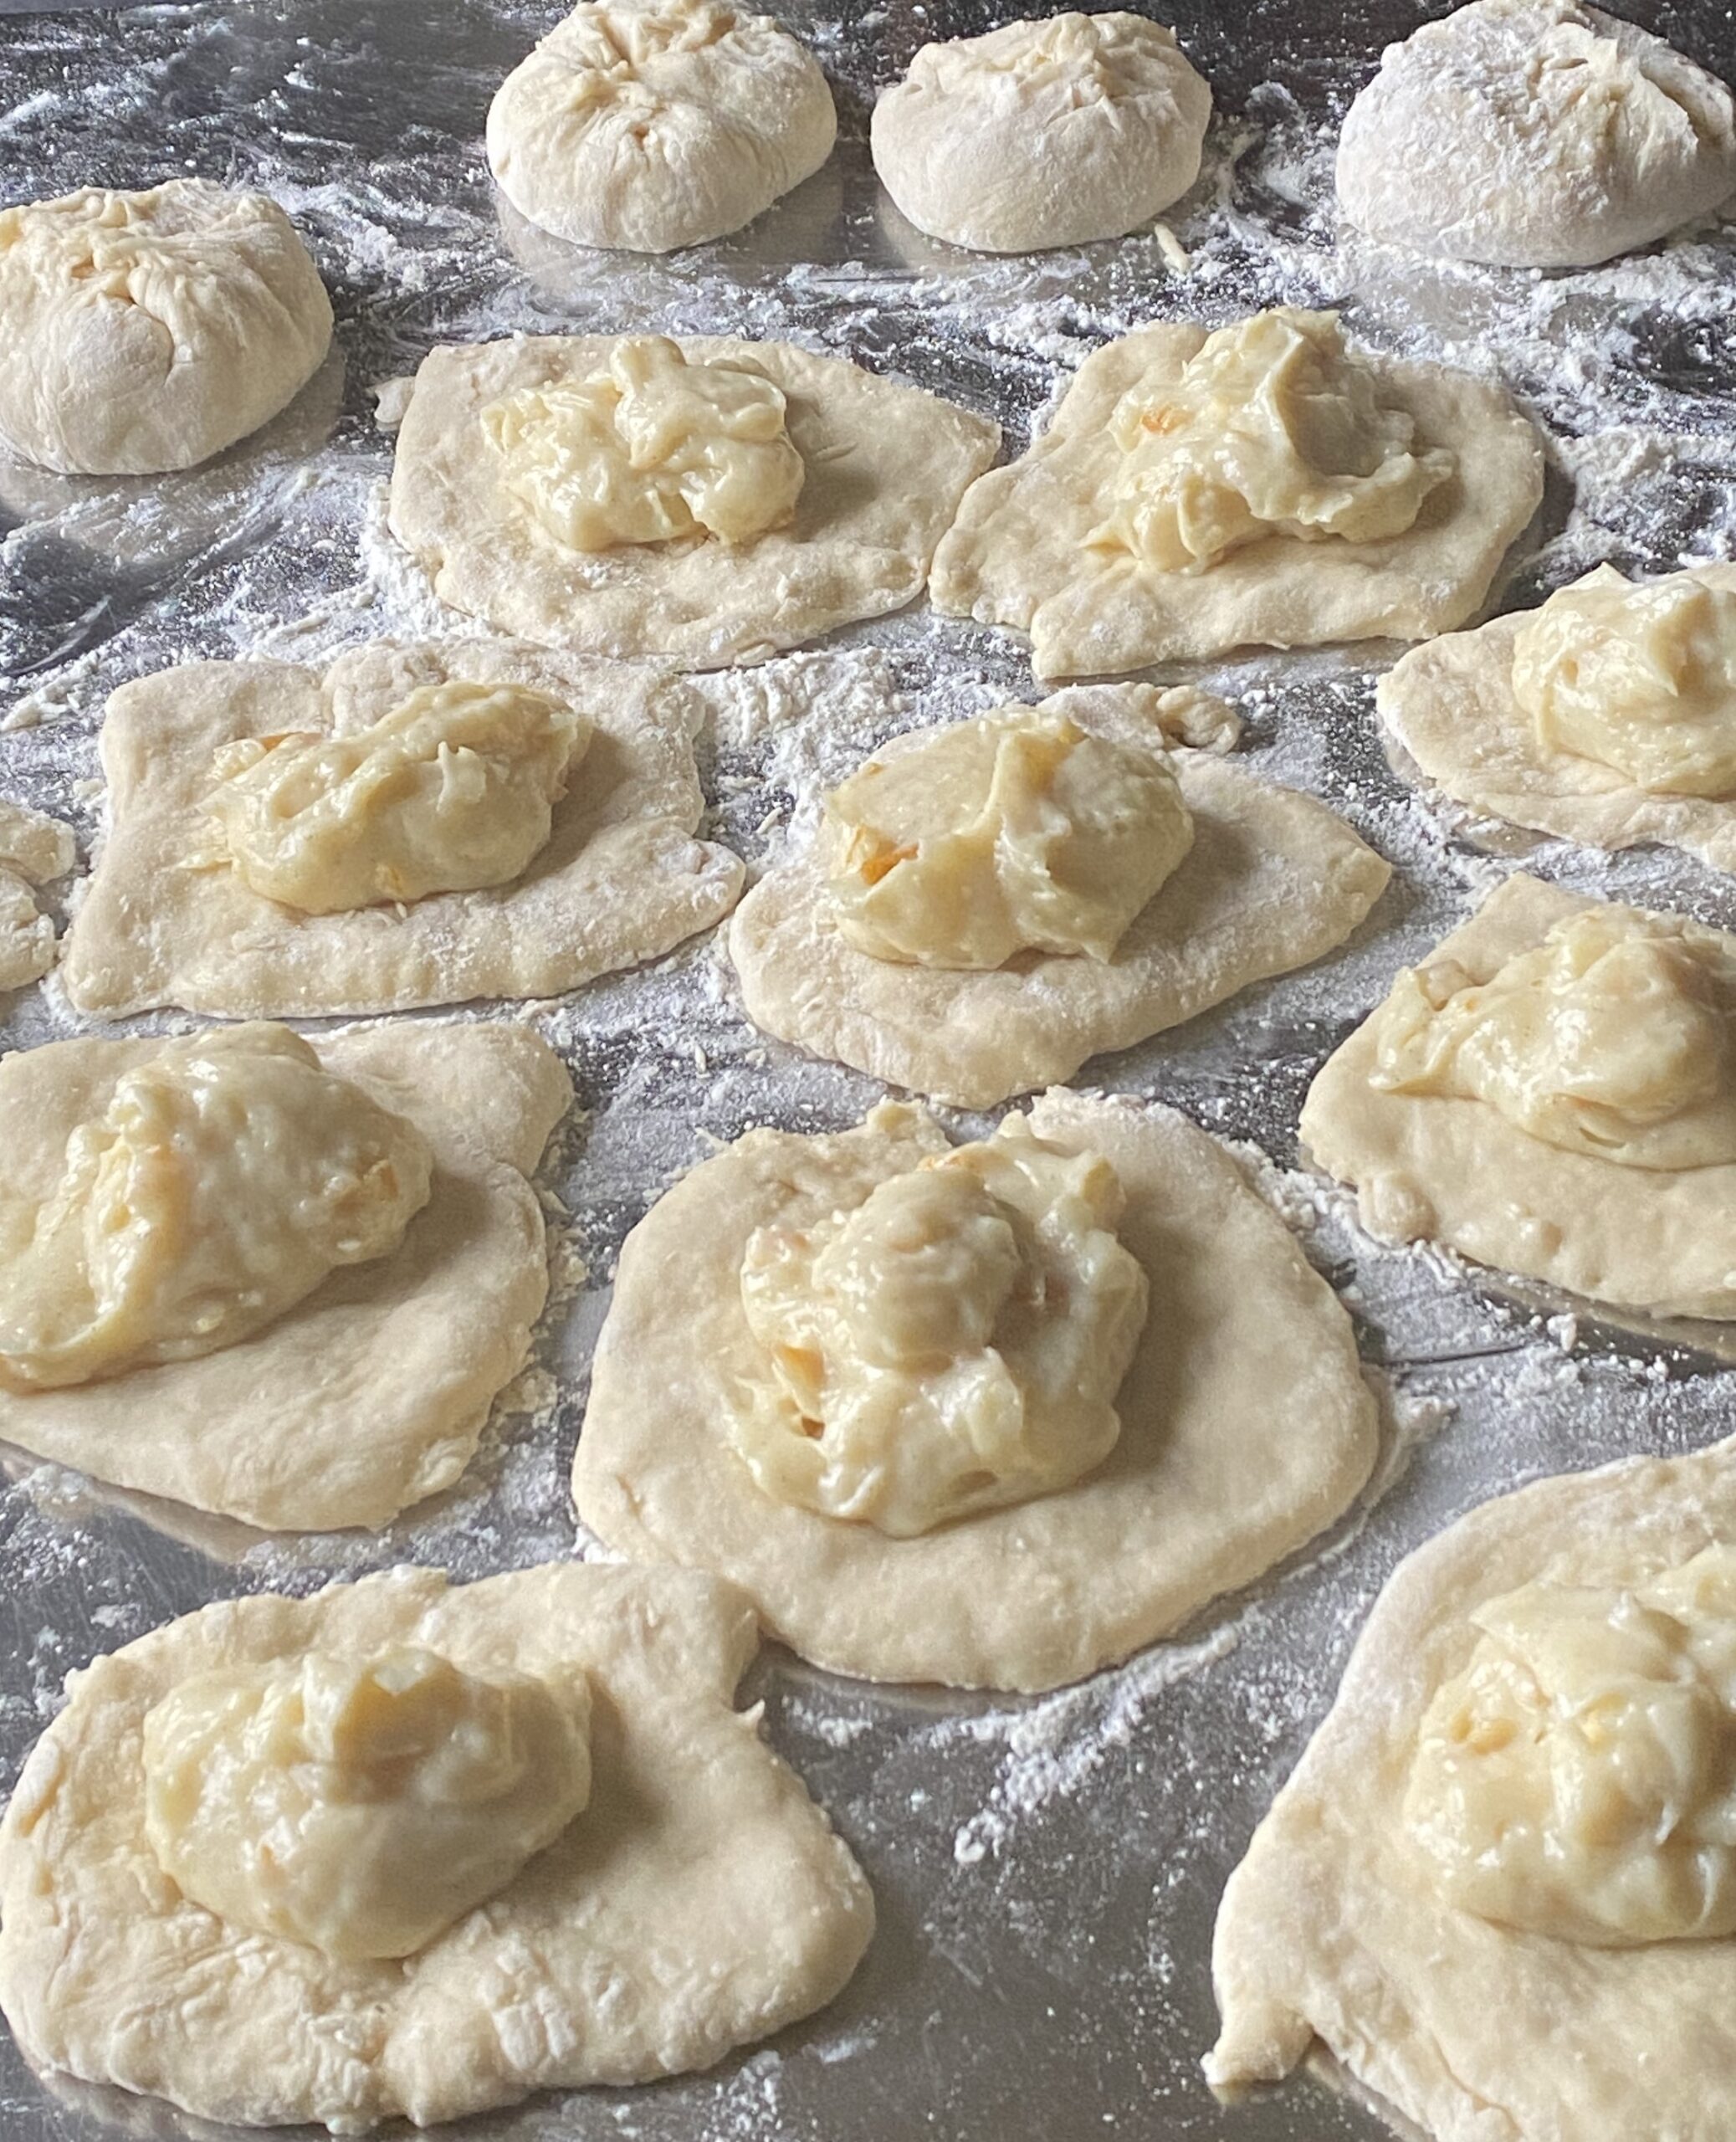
376, 1389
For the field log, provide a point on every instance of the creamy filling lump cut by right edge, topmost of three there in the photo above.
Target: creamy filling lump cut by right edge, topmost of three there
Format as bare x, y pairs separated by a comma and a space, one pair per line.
1636, 678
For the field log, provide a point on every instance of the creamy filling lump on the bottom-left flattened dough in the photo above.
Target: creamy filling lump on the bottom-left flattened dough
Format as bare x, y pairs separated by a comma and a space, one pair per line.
359, 1807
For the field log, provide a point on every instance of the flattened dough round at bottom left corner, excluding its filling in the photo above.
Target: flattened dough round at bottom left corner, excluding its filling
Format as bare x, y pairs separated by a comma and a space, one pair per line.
697, 1905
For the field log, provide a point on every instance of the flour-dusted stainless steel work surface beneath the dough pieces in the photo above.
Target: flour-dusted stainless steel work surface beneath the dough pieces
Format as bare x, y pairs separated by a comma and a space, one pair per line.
1048, 1873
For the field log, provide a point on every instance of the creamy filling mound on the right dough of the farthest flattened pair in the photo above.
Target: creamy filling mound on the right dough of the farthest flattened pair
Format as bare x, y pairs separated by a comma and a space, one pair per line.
1273, 429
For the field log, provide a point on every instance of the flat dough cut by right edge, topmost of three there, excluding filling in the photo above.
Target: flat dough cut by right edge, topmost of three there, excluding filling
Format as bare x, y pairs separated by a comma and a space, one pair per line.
1452, 708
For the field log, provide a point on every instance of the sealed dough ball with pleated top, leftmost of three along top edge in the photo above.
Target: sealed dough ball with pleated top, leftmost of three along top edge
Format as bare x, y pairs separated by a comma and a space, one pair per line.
658, 123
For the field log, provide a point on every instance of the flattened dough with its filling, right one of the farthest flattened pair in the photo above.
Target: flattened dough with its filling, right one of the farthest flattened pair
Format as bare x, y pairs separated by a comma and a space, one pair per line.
1181, 509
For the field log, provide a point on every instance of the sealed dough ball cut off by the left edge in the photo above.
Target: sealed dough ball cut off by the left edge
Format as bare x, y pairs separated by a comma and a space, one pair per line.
149, 331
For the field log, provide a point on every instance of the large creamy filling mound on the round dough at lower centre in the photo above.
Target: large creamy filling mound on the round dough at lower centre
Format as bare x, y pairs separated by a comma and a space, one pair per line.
954, 1344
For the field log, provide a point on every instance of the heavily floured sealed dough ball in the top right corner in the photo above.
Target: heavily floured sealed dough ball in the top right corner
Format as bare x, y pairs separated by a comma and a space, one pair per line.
1536, 134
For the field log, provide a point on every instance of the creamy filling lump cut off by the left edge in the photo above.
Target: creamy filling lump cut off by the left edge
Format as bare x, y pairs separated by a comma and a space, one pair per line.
224, 1181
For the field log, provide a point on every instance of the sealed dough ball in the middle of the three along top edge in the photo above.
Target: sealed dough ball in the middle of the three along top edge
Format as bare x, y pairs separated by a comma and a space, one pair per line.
1044, 134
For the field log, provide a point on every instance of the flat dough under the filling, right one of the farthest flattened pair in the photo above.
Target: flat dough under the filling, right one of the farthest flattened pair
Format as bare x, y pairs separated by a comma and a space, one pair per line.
1024, 549
